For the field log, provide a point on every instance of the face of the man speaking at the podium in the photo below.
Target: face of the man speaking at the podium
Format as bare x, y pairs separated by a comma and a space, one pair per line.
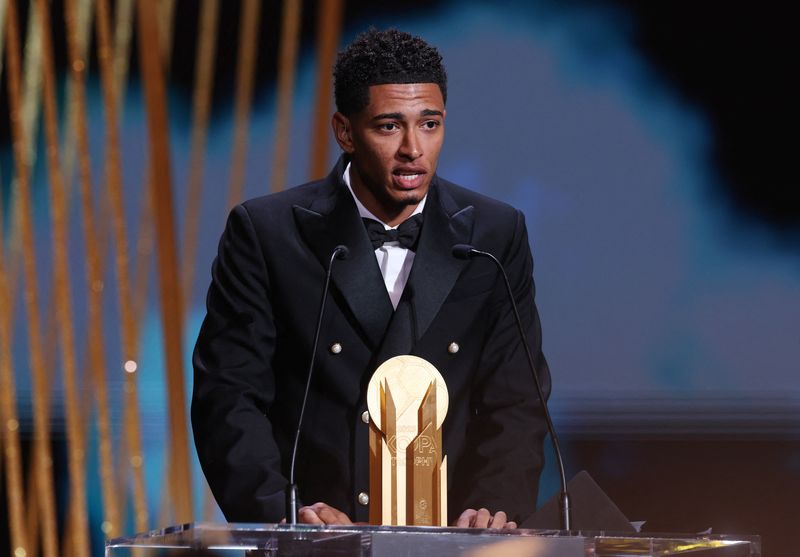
394, 145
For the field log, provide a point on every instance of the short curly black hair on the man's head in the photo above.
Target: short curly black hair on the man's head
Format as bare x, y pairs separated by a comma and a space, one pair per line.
380, 57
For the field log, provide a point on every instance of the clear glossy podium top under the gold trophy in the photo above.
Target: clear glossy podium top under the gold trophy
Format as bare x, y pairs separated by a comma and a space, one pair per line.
281, 540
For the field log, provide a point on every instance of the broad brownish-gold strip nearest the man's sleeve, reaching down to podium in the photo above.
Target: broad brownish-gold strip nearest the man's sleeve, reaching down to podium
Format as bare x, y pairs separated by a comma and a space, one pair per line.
169, 281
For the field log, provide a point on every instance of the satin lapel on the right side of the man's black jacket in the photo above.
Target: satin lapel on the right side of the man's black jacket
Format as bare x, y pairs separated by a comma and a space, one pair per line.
435, 270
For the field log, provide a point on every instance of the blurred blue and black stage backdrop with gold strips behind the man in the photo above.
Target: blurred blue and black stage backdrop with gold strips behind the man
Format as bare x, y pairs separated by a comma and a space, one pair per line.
651, 145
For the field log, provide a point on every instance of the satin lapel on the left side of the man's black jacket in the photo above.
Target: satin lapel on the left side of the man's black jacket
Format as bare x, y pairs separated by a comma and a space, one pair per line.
332, 220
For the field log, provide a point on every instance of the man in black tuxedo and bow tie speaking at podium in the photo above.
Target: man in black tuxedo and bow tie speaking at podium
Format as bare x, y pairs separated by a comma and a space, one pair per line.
400, 290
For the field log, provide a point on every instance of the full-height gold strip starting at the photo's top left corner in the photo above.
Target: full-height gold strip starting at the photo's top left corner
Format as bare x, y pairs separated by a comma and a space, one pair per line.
44, 483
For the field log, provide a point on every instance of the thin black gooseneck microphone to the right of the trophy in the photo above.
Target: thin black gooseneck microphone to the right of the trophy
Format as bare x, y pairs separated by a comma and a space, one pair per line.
465, 251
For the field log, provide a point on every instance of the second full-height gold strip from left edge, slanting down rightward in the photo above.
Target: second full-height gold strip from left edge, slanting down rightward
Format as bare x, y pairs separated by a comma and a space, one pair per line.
63, 306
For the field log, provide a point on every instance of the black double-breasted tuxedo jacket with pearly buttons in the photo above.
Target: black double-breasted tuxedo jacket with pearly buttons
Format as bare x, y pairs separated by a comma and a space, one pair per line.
254, 347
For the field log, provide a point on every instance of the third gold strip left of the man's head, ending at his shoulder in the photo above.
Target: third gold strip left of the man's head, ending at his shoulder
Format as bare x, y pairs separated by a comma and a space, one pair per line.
248, 48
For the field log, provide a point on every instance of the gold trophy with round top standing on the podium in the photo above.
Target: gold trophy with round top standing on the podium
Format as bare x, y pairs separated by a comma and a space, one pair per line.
407, 400
